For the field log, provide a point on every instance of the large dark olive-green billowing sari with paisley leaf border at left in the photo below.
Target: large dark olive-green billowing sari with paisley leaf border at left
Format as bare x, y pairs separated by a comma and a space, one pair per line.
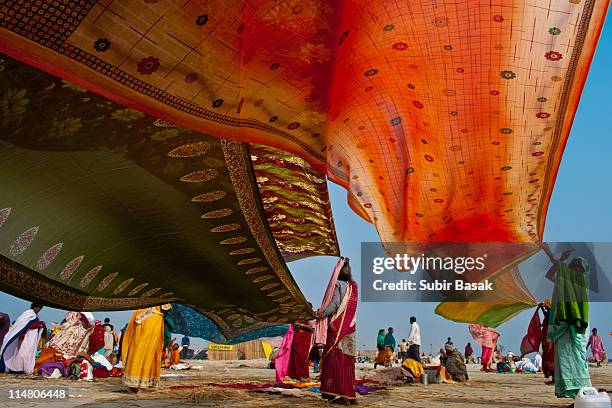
140, 200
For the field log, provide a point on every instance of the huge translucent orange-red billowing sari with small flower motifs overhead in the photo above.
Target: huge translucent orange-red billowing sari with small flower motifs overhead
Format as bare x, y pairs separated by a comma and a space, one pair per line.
444, 122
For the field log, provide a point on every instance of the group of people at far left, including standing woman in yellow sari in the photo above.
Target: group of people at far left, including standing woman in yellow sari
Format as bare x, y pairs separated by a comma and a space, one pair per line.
82, 348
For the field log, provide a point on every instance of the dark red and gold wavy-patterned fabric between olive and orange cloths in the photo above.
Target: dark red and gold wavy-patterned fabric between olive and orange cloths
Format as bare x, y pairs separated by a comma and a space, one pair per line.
296, 203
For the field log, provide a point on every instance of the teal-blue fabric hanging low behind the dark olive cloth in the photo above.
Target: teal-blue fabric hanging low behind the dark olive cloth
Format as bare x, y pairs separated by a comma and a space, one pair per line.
193, 323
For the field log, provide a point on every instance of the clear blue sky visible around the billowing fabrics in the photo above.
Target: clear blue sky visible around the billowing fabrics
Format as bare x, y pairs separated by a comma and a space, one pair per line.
579, 211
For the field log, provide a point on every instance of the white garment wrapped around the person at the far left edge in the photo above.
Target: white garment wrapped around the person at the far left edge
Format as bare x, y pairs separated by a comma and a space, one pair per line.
18, 353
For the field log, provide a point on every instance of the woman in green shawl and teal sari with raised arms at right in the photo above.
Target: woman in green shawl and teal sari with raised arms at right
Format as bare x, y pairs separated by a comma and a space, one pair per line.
567, 324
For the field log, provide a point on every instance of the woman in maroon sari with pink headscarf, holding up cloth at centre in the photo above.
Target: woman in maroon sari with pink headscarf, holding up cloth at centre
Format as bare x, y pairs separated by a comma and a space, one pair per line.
338, 360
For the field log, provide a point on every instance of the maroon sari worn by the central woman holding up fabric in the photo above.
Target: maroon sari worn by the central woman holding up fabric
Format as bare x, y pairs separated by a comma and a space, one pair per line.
338, 360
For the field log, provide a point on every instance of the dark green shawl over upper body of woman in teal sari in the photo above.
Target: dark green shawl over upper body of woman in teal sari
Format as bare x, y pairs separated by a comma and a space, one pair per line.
570, 298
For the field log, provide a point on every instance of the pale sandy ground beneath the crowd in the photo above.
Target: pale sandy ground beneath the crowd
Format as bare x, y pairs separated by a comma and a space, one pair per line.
483, 389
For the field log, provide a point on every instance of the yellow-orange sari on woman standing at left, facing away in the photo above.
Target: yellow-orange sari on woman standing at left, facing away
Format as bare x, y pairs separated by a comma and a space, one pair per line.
142, 348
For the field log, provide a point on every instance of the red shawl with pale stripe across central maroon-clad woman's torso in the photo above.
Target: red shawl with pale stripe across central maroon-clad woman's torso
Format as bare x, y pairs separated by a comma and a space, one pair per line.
343, 322
